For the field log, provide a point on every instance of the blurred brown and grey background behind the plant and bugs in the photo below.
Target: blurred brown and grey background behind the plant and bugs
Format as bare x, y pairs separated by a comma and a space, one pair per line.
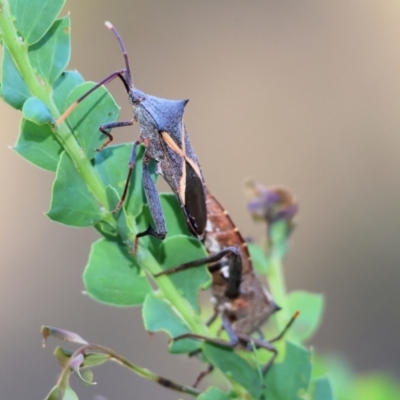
300, 93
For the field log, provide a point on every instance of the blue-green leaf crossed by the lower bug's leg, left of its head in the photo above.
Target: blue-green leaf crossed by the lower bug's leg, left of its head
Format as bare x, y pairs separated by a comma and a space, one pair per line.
159, 316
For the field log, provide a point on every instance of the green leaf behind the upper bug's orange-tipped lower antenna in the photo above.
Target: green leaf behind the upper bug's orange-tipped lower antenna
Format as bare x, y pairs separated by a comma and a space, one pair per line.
97, 109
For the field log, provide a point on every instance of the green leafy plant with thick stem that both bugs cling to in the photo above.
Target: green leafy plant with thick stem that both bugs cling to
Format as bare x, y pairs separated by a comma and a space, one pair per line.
87, 187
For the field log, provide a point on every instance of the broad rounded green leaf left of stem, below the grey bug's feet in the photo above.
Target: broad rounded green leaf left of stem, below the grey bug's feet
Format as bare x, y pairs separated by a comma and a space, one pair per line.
113, 276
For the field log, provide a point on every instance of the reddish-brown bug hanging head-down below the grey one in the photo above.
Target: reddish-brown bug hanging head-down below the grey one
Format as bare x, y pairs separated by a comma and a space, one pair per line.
239, 297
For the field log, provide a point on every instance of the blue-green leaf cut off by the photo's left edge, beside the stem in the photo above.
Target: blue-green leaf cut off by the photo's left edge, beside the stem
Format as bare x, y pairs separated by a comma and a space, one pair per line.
13, 88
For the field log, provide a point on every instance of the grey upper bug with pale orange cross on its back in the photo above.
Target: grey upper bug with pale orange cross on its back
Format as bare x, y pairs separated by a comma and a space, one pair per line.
166, 141
